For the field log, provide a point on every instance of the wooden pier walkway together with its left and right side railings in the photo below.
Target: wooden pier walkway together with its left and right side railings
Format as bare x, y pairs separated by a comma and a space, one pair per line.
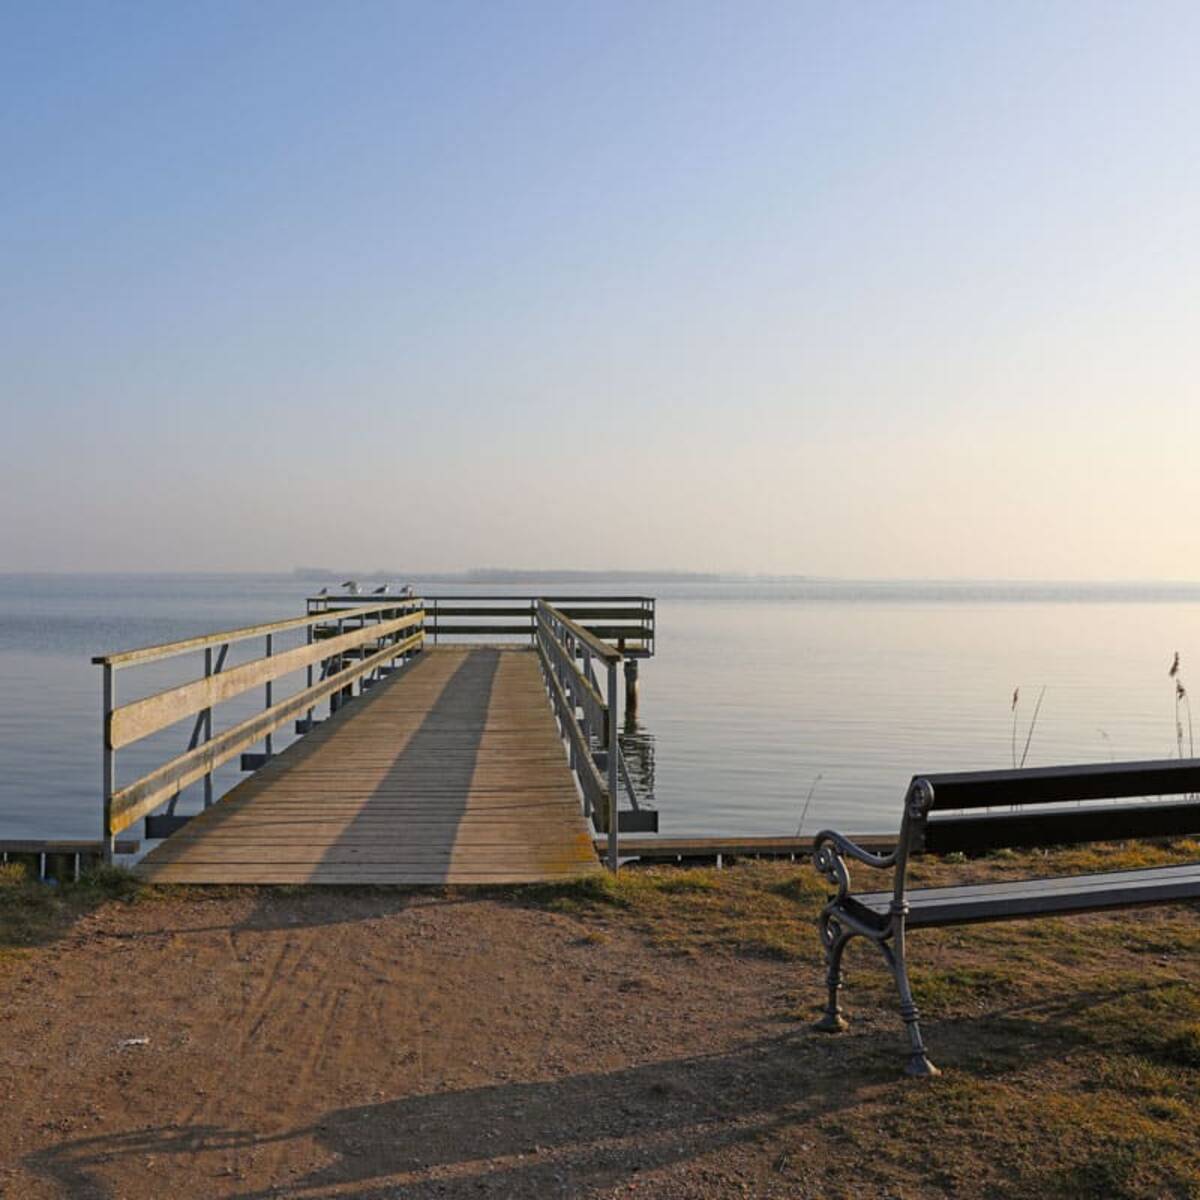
453, 765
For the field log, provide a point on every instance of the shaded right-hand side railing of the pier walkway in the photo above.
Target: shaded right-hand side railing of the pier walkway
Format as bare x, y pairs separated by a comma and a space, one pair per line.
573, 659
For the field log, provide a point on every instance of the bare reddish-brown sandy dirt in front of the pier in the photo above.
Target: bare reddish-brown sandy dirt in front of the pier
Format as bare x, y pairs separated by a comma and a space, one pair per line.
326, 1045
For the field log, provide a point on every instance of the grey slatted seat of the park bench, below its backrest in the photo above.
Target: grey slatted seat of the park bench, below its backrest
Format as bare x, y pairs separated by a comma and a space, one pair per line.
1029, 898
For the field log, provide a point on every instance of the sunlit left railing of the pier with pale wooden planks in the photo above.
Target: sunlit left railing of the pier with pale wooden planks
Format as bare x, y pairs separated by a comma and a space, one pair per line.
352, 645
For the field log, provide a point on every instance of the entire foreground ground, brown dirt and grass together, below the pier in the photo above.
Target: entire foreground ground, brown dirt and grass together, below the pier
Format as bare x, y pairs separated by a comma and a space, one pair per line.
645, 1036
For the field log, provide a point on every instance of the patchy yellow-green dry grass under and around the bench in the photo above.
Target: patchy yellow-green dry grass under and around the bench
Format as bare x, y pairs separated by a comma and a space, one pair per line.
1071, 1046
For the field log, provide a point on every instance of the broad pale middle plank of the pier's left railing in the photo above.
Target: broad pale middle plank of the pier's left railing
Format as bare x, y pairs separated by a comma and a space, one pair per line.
142, 718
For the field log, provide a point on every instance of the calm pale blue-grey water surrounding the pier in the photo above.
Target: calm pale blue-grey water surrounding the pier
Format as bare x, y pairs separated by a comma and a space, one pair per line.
760, 693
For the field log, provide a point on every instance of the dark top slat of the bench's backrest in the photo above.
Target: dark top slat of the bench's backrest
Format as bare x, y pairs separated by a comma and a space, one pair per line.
1060, 785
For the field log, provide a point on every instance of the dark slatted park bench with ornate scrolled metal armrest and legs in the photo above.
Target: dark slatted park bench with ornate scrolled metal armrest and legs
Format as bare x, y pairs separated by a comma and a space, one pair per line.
979, 812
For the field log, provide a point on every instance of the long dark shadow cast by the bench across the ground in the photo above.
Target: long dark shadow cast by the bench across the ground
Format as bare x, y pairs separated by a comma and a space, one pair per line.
572, 1137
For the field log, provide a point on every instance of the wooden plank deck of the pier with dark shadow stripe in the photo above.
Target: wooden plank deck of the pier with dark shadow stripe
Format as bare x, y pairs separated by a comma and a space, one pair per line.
451, 771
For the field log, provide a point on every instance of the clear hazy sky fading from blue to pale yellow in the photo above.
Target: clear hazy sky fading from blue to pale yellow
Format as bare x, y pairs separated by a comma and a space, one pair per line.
873, 290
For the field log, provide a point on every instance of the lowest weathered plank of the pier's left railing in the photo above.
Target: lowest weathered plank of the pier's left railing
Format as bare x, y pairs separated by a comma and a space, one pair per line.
141, 797
